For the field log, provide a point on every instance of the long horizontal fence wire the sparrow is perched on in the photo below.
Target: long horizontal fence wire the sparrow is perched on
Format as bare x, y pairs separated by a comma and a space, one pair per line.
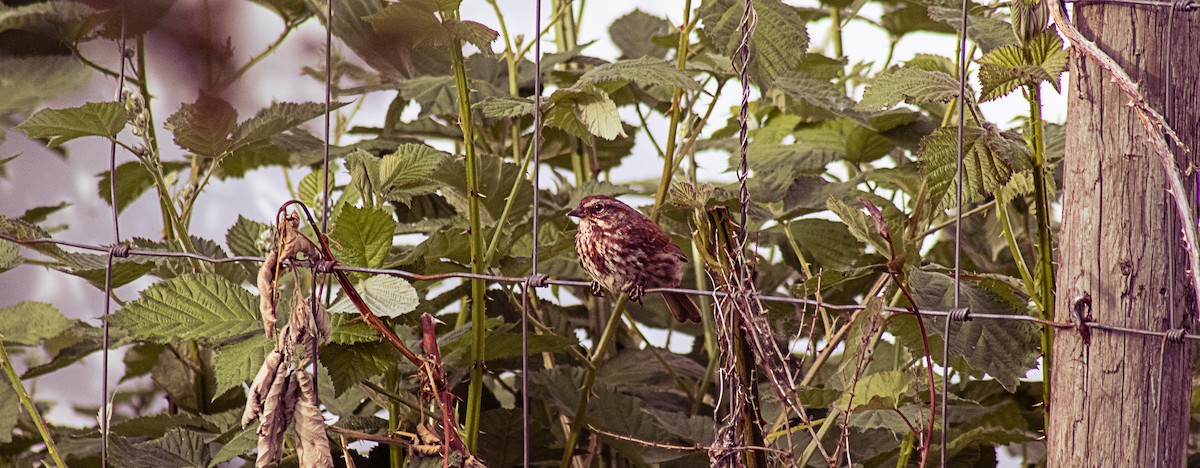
543, 280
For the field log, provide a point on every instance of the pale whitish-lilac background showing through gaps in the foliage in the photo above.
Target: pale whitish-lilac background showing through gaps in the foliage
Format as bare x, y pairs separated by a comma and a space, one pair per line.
39, 178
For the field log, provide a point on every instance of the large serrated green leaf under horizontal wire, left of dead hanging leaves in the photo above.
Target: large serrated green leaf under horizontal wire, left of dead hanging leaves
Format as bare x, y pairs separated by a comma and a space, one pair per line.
197, 307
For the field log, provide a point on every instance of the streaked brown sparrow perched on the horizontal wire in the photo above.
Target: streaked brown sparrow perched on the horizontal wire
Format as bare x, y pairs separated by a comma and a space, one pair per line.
626, 253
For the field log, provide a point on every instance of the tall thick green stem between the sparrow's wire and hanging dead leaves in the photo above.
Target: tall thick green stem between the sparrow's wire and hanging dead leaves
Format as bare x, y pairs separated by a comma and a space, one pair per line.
478, 289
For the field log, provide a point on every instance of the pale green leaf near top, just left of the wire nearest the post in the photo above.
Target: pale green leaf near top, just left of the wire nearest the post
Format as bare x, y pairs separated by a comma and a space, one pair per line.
913, 86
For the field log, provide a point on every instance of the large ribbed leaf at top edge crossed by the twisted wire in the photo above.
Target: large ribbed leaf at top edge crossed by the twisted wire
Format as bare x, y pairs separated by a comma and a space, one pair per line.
779, 41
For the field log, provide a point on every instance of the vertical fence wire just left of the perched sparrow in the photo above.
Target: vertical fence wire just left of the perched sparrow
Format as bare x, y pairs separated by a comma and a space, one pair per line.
533, 254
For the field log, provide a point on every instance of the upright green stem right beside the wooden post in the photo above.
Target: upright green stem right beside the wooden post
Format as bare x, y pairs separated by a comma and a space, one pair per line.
1046, 256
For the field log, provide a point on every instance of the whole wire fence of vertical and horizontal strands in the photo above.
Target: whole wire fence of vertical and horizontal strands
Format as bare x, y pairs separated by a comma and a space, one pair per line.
1082, 322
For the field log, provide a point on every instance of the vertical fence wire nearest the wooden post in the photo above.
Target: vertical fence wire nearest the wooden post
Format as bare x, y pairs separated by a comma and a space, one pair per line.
958, 225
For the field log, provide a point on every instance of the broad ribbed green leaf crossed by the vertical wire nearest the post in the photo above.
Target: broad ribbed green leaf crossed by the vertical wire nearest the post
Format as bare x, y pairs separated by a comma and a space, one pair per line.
989, 160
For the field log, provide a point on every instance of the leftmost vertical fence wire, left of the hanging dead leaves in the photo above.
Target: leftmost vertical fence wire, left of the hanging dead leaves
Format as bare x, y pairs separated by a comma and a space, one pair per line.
109, 271
